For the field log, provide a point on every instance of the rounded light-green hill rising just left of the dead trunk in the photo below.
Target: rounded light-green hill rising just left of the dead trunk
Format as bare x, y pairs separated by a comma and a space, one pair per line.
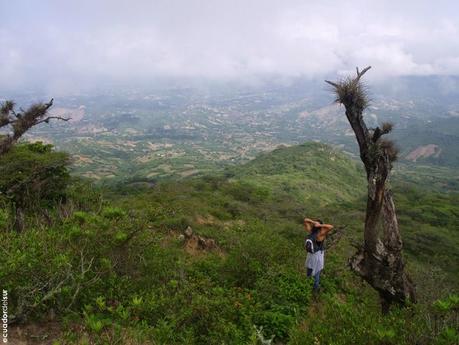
311, 172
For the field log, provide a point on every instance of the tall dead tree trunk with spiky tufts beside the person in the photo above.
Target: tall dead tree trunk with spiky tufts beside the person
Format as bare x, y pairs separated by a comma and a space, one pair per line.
379, 261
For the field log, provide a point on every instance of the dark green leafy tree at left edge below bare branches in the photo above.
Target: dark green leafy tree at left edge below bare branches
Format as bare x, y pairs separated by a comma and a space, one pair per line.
32, 176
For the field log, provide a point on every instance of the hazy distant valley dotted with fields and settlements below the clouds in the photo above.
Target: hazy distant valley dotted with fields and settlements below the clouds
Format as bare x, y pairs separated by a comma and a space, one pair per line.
179, 130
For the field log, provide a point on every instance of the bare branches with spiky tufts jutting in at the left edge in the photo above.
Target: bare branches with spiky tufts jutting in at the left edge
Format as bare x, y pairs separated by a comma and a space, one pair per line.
22, 121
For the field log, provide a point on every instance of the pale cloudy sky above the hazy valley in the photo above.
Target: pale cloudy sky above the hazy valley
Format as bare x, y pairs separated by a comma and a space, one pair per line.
65, 43
